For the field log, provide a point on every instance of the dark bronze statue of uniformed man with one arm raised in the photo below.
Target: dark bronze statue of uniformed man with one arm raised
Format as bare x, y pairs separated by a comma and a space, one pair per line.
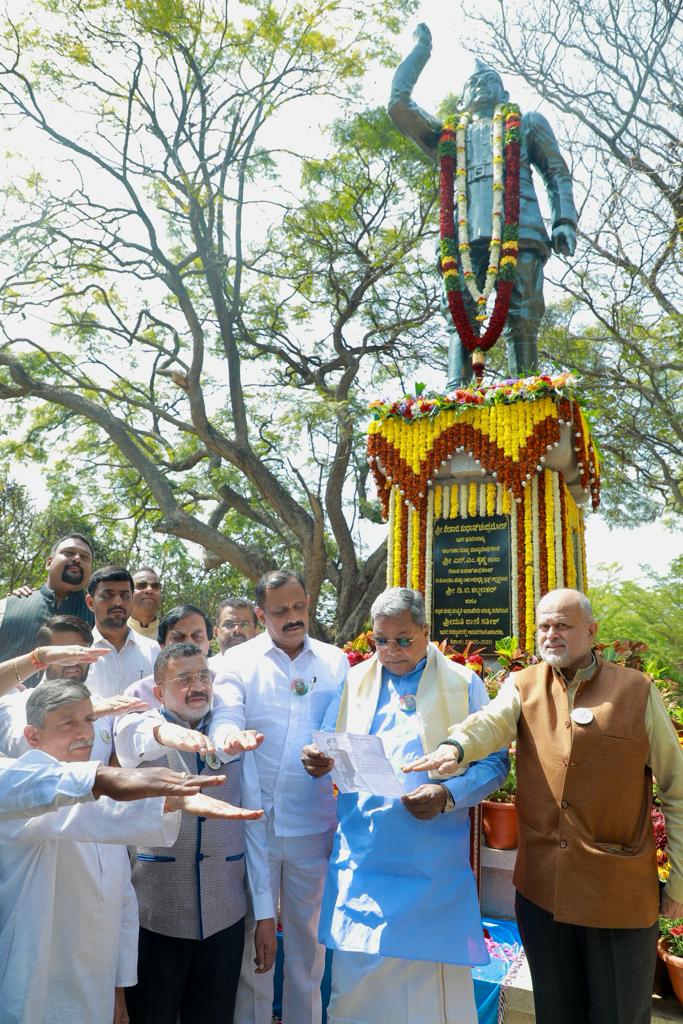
484, 92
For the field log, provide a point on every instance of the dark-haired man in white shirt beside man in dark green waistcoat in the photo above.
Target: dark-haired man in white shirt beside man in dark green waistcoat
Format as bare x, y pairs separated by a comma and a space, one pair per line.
132, 656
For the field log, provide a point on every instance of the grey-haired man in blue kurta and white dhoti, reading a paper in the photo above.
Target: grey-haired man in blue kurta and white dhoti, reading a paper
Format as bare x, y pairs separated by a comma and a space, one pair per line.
400, 877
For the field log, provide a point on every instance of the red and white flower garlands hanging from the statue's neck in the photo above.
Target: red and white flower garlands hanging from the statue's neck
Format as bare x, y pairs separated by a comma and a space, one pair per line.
503, 248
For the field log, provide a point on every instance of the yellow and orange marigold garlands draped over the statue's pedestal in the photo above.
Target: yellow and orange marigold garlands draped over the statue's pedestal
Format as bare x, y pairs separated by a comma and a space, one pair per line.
508, 431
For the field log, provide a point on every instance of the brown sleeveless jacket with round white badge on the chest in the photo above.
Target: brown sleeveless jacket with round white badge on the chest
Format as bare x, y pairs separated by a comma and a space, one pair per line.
587, 851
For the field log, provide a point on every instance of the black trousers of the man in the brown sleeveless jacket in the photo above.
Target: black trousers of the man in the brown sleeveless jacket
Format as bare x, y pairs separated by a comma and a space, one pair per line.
587, 975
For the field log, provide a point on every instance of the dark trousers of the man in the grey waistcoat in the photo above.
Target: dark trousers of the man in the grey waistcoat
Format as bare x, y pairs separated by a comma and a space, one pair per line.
194, 978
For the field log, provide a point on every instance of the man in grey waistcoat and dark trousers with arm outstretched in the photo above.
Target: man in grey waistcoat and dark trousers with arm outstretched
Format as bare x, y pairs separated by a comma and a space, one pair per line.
193, 898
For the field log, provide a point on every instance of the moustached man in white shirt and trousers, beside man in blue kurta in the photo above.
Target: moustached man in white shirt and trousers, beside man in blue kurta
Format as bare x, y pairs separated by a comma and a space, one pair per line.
287, 681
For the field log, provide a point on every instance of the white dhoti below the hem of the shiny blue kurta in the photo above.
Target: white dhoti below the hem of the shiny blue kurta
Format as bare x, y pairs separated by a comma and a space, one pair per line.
370, 990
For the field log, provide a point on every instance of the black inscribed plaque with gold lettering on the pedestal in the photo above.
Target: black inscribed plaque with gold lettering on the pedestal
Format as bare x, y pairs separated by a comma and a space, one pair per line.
472, 581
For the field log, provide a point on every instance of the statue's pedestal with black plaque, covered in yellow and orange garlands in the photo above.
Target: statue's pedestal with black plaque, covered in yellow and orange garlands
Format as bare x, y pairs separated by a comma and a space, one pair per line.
484, 493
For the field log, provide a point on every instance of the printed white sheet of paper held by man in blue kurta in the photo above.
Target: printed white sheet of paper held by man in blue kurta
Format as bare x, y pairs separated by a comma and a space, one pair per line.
360, 764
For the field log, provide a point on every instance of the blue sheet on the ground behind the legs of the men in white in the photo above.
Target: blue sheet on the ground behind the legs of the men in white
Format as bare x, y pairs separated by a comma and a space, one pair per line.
504, 948
